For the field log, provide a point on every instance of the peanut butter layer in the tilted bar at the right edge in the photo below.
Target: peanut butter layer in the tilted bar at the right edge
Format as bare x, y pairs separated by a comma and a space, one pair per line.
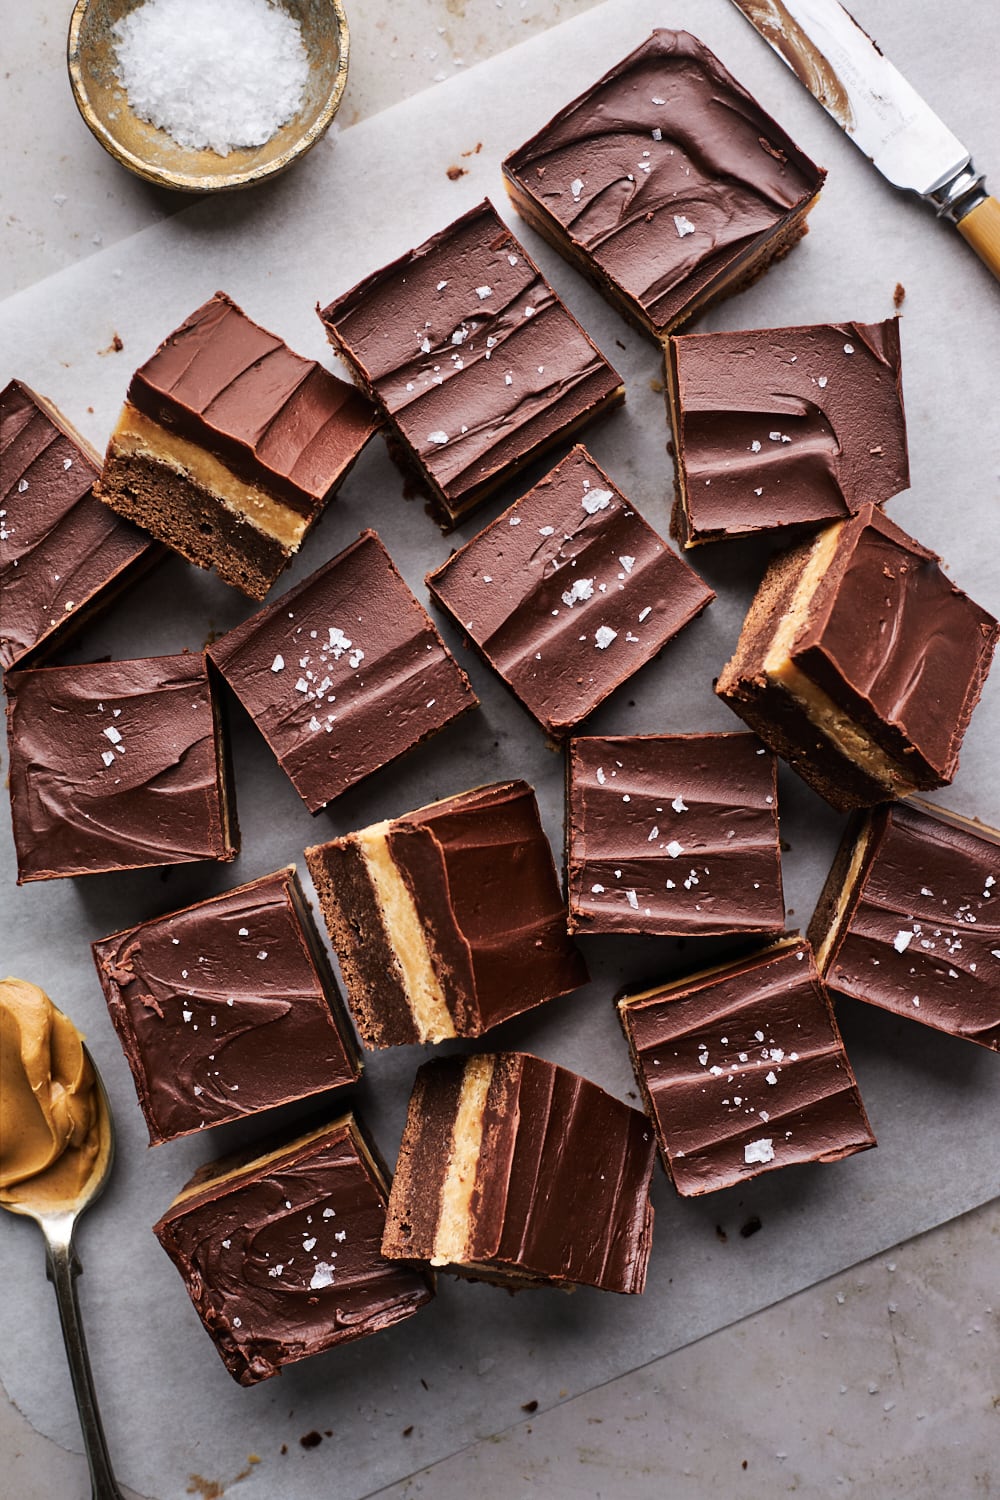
821, 709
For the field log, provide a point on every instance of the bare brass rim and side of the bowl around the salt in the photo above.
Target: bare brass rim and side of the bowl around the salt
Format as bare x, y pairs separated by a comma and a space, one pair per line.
154, 154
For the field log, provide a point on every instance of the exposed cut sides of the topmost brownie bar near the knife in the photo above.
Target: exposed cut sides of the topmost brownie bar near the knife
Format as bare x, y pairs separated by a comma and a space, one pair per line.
738, 278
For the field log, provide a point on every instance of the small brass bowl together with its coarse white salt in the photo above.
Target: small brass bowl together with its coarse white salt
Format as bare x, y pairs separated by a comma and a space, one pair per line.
208, 97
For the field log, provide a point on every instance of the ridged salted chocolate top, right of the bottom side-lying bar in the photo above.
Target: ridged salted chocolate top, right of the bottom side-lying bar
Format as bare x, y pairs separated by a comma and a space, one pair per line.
744, 1070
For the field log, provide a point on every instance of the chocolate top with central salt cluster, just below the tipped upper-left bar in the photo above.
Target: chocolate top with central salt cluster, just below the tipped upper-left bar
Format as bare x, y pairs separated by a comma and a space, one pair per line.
371, 683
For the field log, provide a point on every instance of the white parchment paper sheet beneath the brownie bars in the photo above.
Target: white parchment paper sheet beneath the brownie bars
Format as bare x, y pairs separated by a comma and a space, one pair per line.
464, 1367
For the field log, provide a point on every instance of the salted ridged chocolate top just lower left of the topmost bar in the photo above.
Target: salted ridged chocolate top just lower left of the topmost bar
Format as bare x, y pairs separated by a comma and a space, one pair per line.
472, 355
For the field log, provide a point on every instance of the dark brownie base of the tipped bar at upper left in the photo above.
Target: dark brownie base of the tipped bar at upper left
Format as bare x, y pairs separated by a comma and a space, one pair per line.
193, 521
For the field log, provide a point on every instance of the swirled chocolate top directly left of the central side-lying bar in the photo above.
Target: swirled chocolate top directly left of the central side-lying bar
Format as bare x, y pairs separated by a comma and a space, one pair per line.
227, 1009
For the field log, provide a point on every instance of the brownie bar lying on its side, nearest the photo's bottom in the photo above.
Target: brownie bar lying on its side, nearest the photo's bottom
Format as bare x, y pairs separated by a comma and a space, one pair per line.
519, 1172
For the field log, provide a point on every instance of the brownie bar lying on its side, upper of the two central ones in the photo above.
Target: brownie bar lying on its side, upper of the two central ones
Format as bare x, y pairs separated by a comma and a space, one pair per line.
449, 920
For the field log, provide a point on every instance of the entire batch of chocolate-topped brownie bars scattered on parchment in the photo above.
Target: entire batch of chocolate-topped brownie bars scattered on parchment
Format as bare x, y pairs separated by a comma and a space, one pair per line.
860, 665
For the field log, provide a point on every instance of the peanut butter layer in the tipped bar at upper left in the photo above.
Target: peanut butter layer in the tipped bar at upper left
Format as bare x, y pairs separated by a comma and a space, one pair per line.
137, 434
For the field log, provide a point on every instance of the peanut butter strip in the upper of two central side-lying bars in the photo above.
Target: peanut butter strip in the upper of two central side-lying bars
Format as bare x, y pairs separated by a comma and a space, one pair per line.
407, 937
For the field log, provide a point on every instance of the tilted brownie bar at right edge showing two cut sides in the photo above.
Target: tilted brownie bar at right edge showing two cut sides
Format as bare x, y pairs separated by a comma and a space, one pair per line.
861, 662
